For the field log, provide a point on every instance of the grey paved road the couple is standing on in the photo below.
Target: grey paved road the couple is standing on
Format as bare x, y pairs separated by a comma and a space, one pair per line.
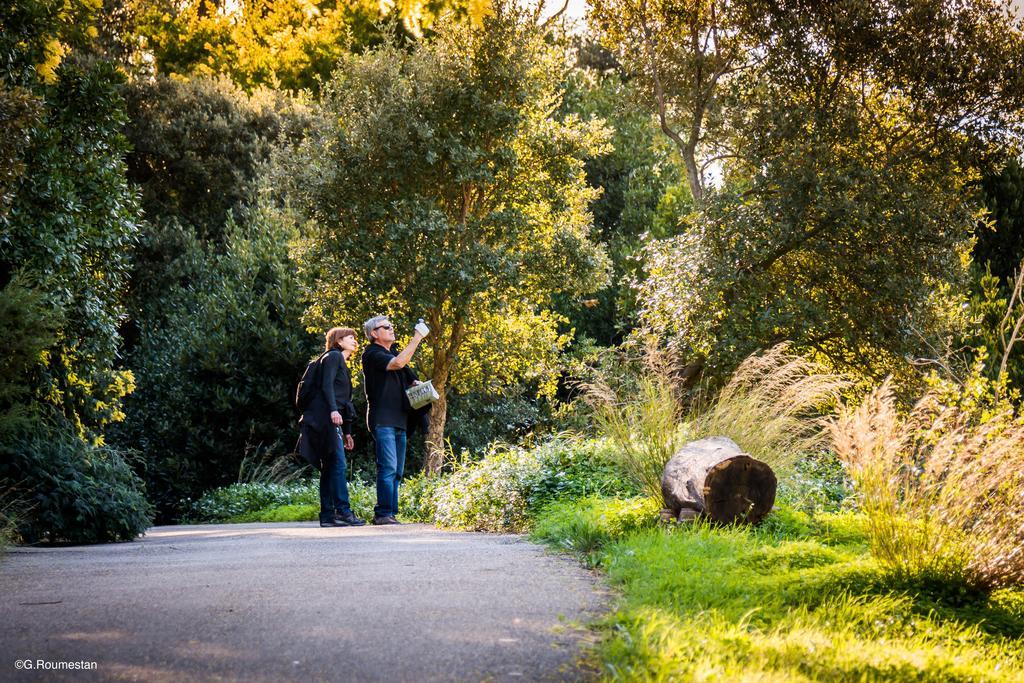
277, 603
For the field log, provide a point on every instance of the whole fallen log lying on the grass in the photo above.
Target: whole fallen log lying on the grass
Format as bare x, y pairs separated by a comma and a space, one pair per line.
714, 478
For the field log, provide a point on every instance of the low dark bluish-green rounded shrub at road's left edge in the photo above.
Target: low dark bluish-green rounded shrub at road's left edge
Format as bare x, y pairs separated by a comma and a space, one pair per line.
71, 491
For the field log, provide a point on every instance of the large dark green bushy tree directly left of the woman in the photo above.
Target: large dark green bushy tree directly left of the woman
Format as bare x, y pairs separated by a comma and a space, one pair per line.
217, 362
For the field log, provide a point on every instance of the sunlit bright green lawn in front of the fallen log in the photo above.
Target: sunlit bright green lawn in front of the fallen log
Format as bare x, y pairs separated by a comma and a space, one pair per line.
799, 599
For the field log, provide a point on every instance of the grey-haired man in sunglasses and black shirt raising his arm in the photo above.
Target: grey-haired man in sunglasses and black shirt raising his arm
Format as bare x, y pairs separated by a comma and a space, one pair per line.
388, 412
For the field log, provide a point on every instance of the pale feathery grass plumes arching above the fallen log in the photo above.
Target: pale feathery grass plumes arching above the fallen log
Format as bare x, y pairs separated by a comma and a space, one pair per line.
773, 408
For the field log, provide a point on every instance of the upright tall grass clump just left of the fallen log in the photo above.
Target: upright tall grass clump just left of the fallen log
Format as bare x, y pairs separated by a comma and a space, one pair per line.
643, 419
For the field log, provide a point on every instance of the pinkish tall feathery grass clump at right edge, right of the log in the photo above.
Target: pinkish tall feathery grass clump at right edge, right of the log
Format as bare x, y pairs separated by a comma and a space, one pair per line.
944, 492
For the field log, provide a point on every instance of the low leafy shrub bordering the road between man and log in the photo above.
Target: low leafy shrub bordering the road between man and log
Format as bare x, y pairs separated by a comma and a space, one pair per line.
498, 493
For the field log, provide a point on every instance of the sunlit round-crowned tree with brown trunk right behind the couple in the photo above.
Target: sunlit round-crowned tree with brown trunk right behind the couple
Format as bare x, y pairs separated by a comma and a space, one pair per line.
440, 183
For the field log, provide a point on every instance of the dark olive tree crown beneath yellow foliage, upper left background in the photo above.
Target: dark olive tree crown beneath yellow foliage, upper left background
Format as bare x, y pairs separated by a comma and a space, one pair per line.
198, 148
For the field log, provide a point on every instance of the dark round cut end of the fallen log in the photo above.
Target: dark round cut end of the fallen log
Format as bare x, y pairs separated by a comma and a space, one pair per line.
740, 490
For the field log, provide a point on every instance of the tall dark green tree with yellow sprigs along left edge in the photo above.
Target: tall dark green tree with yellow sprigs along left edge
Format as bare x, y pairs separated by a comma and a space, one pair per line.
69, 218
